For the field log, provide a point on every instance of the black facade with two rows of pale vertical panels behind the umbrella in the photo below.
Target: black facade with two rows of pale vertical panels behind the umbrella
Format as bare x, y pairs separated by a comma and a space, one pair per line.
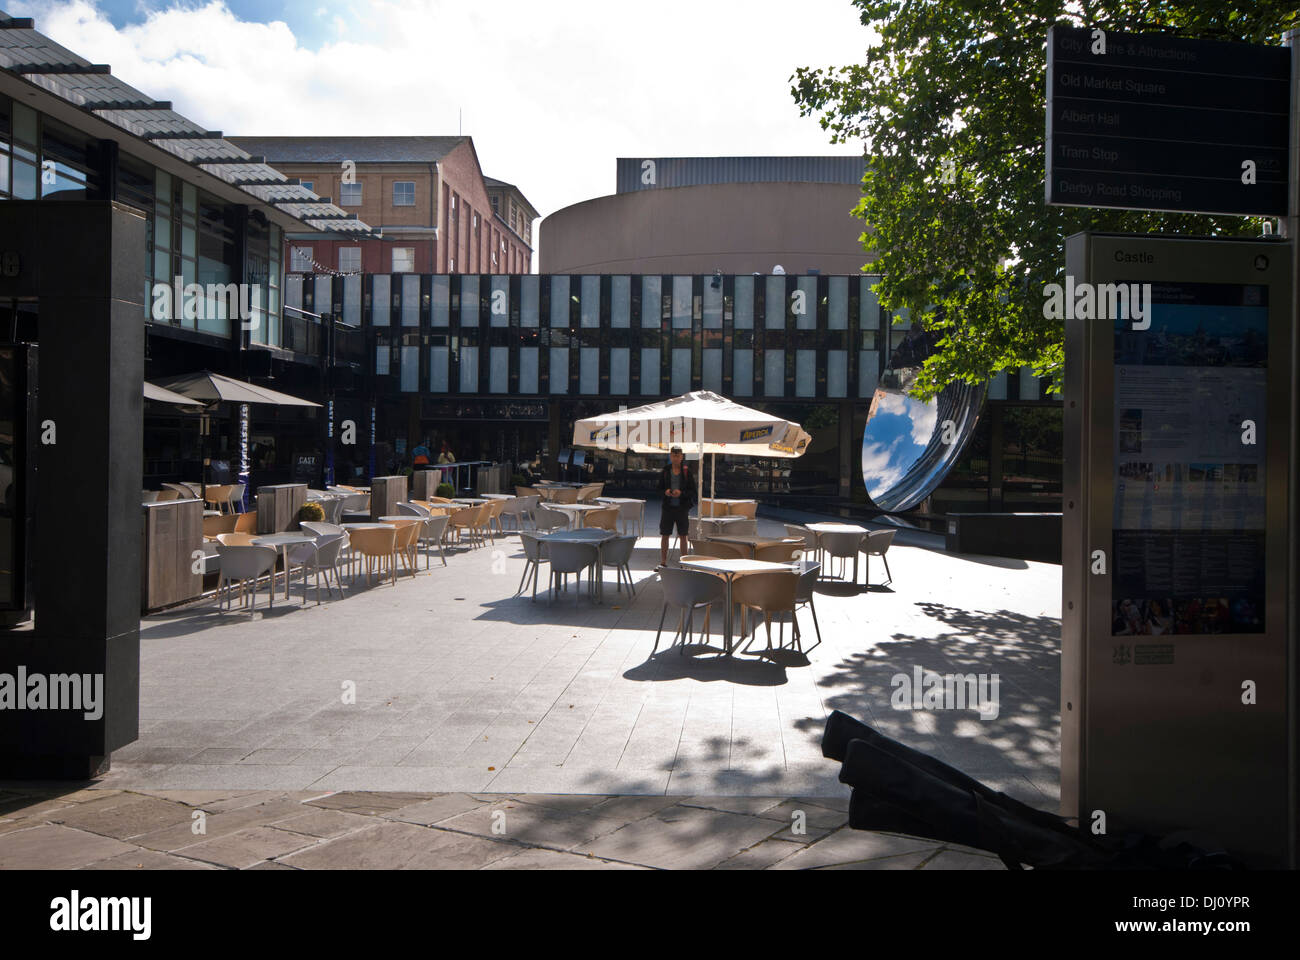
502, 366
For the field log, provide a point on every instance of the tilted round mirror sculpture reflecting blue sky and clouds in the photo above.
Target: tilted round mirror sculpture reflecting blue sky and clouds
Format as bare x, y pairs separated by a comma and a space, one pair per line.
909, 446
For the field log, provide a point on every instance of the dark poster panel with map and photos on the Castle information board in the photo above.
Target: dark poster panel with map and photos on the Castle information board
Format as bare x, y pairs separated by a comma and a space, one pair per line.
1189, 520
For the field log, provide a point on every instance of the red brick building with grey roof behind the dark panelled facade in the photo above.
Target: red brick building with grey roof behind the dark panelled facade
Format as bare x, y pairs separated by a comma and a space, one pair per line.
428, 196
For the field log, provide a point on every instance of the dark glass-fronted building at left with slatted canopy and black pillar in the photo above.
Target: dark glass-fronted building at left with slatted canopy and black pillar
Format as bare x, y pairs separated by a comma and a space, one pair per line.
125, 228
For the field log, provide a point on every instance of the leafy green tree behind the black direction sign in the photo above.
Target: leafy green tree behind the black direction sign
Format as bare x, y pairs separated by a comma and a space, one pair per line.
951, 107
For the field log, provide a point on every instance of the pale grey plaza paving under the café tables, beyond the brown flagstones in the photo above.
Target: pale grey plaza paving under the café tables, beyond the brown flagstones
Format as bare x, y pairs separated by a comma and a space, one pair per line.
448, 682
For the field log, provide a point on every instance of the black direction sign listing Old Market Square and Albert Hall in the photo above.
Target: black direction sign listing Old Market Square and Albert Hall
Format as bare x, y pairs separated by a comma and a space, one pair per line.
1146, 122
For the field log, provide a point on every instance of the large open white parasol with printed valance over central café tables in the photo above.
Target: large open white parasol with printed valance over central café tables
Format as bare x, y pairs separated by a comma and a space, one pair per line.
703, 422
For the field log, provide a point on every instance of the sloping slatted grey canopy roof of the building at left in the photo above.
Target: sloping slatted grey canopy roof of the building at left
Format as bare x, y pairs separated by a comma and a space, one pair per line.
92, 88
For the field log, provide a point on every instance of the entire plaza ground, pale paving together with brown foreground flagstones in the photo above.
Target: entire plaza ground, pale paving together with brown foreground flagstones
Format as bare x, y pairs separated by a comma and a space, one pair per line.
436, 699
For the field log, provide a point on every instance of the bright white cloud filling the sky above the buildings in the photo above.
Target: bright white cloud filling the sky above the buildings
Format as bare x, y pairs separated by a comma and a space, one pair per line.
551, 93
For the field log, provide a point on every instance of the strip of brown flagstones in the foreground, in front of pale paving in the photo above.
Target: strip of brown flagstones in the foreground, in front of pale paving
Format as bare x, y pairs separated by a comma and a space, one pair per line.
261, 831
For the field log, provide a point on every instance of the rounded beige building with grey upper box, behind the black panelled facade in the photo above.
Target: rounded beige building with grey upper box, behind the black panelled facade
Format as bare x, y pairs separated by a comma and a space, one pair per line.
699, 215
